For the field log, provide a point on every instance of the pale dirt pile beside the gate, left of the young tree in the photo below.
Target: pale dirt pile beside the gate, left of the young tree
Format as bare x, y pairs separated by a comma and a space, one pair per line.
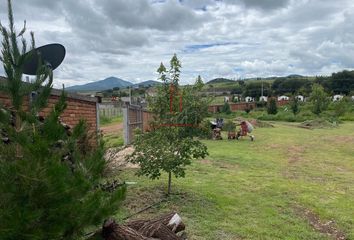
115, 158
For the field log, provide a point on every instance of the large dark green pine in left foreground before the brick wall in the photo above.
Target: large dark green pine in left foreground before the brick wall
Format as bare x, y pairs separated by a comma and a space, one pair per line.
49, 179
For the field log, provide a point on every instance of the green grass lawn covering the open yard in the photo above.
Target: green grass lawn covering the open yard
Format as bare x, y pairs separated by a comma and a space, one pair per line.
279, 187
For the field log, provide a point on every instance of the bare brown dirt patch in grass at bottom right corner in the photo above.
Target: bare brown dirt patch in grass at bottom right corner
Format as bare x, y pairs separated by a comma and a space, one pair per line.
326, 227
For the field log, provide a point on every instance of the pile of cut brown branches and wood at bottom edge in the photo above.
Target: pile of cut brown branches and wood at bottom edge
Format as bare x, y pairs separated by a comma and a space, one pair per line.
164, 227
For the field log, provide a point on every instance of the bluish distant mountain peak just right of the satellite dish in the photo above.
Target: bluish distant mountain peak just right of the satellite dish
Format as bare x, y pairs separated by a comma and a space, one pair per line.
101, 85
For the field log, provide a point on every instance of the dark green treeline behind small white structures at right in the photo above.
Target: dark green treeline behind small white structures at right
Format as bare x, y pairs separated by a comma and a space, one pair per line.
337, 83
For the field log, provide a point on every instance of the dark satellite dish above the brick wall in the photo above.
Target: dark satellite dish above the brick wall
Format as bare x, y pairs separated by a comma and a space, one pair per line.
52, 55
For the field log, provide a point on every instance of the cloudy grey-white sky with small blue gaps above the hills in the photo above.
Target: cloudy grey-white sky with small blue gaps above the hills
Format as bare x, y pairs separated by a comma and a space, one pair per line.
212, 38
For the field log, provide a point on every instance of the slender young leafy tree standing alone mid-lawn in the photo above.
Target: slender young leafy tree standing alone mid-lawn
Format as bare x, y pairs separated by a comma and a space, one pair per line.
171, 145
